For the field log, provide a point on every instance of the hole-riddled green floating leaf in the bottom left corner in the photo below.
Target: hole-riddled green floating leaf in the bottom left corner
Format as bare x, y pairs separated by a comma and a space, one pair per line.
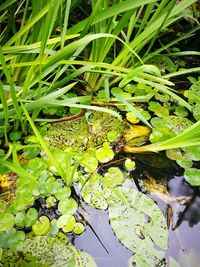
40, 251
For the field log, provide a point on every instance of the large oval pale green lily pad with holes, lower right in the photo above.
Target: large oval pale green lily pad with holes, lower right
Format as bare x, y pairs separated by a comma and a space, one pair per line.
138, 223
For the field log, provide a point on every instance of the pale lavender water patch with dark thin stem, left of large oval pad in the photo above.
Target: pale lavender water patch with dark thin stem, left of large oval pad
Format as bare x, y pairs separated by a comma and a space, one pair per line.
108, 254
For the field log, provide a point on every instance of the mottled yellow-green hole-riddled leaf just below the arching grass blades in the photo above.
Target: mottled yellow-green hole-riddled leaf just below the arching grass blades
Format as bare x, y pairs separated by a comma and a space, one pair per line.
83, 133
